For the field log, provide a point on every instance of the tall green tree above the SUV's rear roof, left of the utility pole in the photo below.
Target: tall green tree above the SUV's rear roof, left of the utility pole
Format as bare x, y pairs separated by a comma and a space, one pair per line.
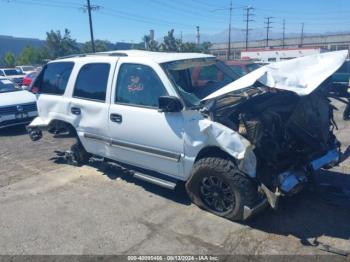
58, 45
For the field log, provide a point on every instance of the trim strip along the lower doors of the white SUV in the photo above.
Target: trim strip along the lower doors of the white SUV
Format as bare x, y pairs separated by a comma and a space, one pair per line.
136, 148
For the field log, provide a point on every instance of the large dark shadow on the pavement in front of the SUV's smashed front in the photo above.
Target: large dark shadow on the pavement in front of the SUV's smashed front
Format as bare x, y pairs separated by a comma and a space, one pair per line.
324, 211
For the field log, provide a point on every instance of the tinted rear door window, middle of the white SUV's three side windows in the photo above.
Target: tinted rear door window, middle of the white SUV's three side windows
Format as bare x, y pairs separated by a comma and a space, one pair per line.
92, 81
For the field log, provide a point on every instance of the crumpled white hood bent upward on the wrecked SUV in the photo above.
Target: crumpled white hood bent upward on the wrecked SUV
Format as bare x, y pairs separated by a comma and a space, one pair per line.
300, 75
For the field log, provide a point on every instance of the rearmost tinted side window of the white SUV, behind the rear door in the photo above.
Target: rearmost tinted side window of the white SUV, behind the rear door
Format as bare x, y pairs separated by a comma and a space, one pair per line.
54, 79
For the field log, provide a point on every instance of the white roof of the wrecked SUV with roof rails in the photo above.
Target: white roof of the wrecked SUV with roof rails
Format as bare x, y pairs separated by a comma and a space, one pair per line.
158, 57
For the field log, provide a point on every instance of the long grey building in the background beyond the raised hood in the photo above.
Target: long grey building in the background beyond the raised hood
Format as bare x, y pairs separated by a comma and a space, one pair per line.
322, 42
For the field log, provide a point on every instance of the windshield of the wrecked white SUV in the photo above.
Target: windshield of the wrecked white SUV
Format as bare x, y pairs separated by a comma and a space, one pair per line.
195, 79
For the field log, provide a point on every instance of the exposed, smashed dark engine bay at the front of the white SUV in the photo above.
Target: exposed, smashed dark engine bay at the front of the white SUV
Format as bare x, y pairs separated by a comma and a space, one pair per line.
287, 131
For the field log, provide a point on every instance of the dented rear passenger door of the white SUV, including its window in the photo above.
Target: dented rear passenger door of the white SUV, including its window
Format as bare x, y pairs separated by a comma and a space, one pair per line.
89, 103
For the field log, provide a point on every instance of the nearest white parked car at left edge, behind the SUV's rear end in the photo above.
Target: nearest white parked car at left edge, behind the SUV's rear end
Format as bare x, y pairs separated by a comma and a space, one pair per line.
17, 106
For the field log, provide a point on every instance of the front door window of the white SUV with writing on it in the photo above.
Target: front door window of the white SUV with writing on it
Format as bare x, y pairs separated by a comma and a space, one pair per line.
139, 85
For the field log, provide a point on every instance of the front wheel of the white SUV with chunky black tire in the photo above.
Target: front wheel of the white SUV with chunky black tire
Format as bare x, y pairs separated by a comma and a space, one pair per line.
237, 190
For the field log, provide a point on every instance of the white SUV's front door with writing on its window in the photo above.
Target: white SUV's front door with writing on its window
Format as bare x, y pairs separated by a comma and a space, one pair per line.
141, 135
